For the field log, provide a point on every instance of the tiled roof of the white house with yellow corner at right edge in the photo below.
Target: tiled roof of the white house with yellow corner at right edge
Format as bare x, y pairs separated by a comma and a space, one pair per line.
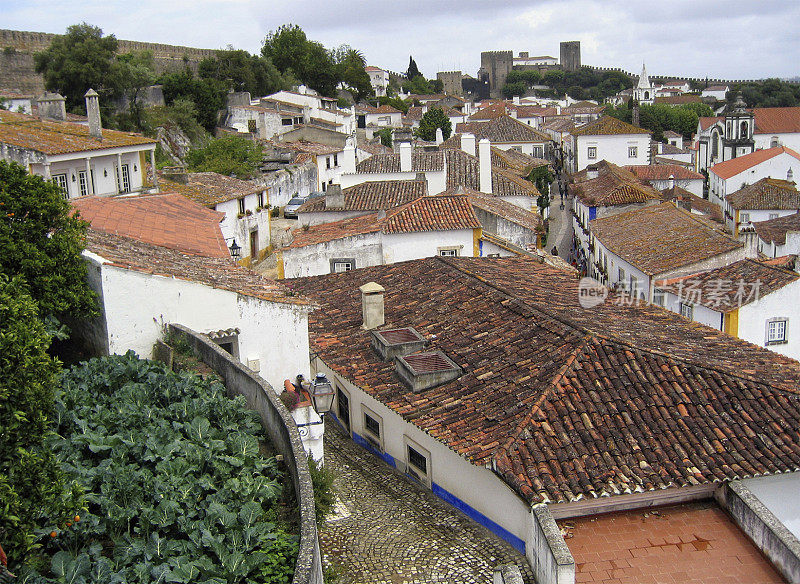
729, 287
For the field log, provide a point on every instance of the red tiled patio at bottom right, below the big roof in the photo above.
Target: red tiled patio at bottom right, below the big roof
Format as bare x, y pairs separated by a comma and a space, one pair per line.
690, 543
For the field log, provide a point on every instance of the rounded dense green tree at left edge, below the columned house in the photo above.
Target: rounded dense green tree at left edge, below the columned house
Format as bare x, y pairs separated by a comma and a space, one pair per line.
42, 241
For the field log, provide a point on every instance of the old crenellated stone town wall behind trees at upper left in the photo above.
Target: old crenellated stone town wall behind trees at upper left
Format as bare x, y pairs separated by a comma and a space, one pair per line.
17, 71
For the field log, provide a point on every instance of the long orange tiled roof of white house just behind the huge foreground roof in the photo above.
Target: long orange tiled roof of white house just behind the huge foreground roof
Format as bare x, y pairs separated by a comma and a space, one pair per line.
434, 213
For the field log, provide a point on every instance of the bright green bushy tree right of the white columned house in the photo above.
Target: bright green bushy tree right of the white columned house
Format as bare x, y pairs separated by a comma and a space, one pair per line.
229, 155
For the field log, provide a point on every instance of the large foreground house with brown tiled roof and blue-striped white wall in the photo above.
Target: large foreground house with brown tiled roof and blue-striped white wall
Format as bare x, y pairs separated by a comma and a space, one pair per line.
486, 381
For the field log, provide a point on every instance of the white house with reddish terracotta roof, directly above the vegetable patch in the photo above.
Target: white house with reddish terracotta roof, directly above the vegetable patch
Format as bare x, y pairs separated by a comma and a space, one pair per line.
159, 259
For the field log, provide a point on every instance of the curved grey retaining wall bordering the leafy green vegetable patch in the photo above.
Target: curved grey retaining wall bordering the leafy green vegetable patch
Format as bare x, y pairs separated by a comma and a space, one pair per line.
281, 429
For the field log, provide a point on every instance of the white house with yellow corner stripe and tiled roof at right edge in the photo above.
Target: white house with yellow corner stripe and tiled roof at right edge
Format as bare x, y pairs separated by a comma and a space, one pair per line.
747, 299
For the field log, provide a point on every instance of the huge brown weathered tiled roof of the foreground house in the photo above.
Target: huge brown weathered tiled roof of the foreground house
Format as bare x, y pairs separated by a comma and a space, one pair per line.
566, 403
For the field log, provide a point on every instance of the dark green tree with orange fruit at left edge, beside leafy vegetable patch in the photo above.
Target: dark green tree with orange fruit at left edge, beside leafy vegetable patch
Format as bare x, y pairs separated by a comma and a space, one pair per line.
34, 496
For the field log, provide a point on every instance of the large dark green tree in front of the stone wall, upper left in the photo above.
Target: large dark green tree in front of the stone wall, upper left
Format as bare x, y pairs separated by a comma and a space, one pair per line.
80, 59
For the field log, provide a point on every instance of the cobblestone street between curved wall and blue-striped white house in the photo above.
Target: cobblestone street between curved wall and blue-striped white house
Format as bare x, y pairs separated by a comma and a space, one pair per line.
385, 529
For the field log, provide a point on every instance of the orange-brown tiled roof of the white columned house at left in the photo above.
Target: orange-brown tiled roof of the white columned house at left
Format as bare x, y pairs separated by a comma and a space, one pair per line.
51, 137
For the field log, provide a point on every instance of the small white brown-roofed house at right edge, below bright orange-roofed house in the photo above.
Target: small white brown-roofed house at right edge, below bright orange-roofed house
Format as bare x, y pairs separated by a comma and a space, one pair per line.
768, 198
